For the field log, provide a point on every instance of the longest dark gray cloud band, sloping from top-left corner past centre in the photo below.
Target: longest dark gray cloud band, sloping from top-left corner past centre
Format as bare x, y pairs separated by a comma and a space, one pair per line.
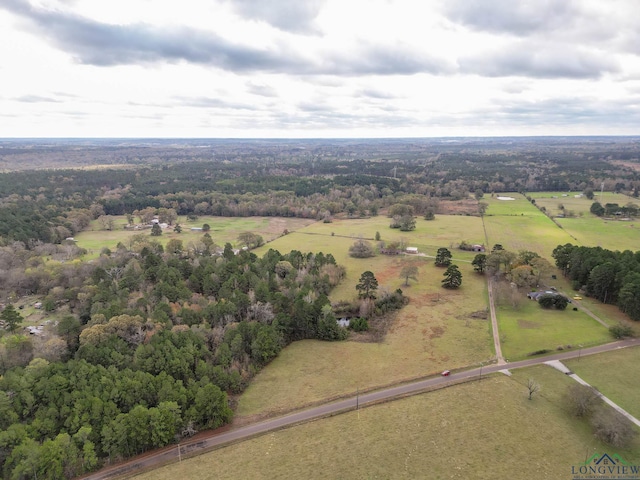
95, 43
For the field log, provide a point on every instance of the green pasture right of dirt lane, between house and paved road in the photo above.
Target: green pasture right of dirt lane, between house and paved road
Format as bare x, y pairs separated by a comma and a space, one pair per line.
529, 328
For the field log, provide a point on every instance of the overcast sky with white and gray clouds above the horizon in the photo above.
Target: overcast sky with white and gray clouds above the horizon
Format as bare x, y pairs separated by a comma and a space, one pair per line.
319, 68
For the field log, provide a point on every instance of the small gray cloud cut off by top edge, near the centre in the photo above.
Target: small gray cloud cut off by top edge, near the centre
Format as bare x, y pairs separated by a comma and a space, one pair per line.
290, 15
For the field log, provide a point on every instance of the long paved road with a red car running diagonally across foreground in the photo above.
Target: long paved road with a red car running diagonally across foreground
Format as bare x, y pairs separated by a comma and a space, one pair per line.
217, 439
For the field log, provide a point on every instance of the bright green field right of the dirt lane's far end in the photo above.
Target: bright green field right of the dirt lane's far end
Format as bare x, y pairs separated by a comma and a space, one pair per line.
519, 225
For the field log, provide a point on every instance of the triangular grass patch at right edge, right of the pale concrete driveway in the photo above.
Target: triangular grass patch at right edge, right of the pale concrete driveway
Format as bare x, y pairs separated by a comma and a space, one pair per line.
615, 374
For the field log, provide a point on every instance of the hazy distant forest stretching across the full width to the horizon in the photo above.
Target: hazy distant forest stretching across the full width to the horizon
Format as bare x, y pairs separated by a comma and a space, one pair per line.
301, 178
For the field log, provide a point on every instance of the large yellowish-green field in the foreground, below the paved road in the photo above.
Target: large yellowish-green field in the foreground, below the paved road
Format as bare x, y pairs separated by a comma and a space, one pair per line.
479, 430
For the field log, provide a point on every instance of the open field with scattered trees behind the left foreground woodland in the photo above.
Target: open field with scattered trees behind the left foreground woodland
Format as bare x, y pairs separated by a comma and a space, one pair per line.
223, 230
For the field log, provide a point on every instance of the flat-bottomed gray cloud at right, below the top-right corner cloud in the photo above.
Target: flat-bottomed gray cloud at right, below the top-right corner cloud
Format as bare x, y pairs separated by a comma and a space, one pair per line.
538, 60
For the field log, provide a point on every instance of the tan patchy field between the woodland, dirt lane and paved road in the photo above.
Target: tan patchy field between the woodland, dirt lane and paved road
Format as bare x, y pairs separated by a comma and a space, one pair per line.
435, 331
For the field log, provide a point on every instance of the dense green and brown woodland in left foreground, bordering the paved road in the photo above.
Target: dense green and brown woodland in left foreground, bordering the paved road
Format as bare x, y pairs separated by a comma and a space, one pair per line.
154, 341
